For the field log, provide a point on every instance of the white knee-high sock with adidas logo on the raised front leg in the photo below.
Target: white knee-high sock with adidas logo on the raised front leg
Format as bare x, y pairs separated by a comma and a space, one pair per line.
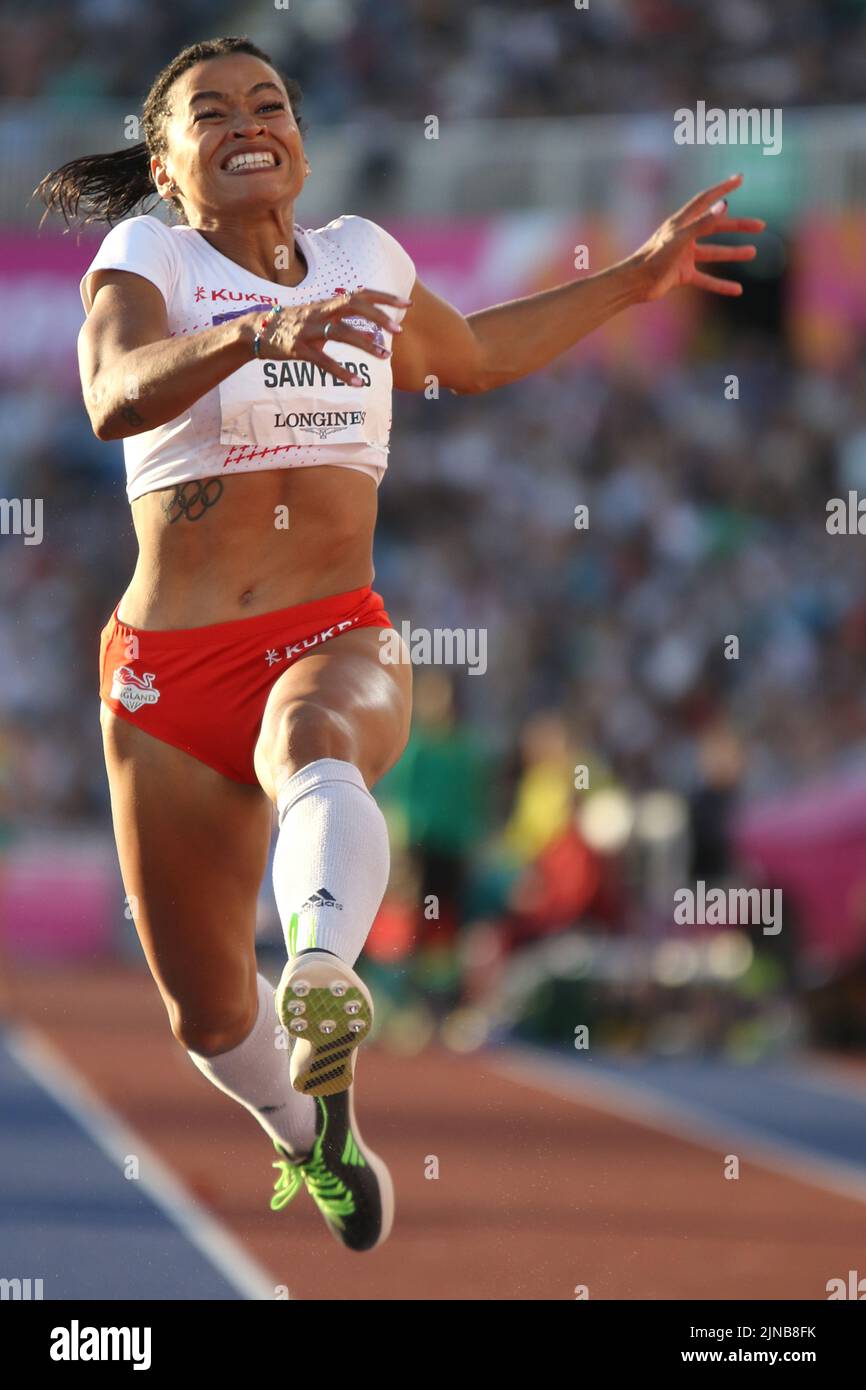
332, 860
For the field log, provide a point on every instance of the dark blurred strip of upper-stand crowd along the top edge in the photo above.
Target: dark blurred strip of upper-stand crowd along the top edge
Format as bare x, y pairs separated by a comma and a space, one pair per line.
361, 59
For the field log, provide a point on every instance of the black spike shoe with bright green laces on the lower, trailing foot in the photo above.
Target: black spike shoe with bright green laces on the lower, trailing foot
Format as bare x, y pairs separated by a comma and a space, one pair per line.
348, 1182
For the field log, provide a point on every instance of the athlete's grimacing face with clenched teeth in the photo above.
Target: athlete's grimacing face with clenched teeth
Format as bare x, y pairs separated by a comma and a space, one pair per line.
222, 109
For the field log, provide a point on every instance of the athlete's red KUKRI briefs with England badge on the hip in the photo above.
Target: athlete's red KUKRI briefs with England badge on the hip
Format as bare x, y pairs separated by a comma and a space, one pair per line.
205, 689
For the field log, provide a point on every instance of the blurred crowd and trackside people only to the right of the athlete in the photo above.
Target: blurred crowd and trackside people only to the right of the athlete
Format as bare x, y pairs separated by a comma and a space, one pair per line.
607, 654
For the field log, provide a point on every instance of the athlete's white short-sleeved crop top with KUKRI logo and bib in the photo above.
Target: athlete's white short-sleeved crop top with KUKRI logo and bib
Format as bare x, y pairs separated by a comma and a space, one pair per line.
268, 415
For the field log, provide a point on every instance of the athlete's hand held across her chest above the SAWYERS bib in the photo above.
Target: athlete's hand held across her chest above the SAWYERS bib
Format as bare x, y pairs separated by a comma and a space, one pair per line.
302, 332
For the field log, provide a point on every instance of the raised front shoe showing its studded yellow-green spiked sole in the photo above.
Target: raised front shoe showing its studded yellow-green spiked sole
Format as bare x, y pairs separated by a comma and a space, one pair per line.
327, 1010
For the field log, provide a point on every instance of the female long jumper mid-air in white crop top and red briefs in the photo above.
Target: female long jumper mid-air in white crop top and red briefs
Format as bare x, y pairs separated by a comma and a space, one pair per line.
248, 365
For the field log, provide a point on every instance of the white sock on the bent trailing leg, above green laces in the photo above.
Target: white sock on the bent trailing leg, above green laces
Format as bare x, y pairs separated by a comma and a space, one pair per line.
256, 1075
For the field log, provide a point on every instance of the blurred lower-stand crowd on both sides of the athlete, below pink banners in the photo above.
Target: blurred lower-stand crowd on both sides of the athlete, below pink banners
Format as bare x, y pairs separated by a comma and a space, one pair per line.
608, 644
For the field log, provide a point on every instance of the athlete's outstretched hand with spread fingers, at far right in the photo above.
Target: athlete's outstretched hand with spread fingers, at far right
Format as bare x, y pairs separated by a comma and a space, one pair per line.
672, 255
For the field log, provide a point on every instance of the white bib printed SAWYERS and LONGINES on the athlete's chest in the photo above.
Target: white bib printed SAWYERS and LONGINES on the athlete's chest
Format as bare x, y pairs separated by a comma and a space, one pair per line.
272, 405
